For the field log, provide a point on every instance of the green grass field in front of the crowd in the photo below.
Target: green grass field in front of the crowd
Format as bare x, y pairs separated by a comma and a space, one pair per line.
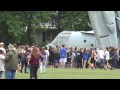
58, 73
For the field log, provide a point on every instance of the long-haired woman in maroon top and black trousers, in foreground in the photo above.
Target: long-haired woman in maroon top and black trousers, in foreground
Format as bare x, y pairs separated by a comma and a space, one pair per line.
34, 63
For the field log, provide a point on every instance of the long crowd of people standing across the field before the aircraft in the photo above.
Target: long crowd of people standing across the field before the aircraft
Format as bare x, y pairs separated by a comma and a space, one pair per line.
14, 58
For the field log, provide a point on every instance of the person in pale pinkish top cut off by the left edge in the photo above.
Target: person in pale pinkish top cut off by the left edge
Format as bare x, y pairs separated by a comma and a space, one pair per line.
2, 57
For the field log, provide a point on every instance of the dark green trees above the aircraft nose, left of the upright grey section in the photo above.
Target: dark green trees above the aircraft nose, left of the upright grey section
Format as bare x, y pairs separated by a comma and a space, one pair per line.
71, 20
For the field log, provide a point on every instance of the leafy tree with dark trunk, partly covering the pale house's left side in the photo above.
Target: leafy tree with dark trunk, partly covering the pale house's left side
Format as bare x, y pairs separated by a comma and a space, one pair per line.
33, 21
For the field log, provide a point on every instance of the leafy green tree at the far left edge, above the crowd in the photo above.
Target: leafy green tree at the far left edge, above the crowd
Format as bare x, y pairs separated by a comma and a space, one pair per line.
10, 26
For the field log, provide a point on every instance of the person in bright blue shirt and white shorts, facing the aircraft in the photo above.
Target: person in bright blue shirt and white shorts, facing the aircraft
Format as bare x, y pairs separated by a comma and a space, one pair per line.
63, 56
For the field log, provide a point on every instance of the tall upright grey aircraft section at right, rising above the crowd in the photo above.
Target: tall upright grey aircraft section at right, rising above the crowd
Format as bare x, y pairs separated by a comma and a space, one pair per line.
106, 26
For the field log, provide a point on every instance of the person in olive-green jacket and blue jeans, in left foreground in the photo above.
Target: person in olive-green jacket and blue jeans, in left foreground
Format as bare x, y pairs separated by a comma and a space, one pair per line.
11, 63
